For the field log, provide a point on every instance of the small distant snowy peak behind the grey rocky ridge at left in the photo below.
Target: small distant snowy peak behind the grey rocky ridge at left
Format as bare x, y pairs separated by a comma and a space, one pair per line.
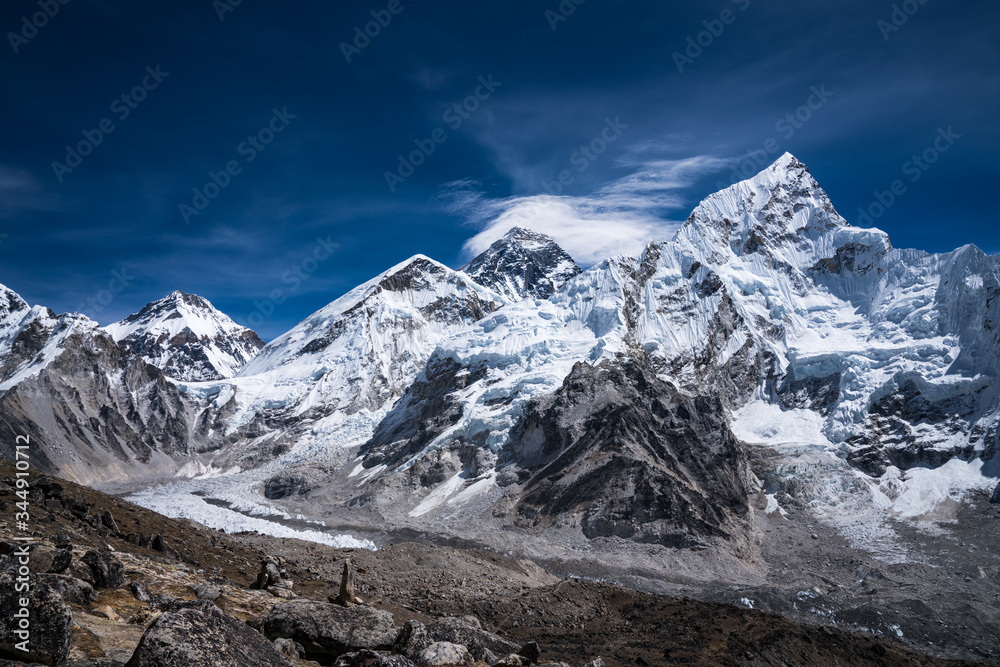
187, 338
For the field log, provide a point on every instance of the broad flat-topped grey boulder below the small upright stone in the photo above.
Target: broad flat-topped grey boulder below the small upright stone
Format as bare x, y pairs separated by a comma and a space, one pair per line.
329, 630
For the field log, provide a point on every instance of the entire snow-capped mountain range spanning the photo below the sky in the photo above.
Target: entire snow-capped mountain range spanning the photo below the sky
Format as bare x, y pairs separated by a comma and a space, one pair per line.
630, 401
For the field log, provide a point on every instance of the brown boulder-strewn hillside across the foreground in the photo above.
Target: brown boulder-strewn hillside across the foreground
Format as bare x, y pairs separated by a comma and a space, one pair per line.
113, 584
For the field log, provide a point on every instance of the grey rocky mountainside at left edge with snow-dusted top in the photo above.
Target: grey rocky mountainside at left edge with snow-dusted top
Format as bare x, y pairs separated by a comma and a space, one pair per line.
94, 412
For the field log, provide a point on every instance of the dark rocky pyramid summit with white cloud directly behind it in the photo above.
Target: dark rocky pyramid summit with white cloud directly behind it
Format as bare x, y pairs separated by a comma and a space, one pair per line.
522, 265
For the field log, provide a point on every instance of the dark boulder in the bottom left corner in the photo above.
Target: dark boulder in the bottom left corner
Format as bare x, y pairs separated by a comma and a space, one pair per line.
50, 624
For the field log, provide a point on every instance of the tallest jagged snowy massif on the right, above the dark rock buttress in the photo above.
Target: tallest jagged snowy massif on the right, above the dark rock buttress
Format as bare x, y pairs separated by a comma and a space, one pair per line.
770, 300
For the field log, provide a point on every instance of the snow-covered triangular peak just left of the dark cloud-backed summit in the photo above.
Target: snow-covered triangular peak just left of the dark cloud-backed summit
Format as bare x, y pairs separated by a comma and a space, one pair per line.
328, 381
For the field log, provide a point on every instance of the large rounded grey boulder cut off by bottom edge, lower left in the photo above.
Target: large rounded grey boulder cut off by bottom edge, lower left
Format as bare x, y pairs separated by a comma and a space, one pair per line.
202, 636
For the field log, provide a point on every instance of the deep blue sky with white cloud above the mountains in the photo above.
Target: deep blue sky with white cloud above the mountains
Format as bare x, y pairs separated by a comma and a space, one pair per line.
209, 85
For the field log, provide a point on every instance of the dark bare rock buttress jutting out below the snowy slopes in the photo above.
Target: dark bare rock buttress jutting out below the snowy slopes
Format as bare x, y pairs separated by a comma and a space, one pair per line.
623, 454
